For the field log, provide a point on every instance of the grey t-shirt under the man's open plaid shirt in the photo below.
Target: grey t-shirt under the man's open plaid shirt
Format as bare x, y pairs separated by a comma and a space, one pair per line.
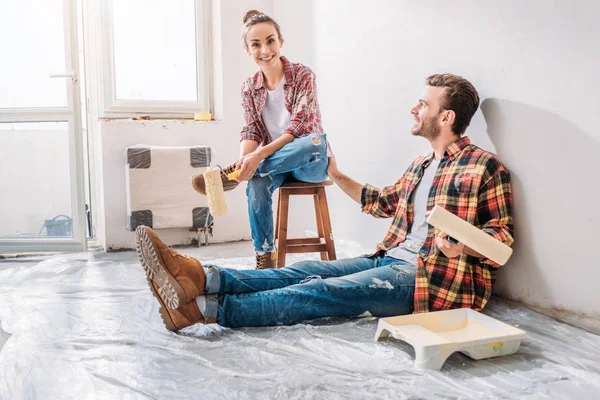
417, 234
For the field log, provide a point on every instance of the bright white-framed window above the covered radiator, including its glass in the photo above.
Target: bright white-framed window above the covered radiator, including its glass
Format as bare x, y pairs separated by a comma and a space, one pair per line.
155, 57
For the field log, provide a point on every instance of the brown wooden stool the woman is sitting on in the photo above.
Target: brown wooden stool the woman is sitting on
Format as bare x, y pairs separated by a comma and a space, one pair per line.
322, 244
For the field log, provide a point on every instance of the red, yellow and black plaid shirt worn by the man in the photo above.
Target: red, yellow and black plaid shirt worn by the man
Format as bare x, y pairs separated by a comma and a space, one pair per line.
470, 183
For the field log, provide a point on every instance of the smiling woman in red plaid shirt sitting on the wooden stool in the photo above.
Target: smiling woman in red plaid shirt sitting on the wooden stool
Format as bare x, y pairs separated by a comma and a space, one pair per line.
282, 138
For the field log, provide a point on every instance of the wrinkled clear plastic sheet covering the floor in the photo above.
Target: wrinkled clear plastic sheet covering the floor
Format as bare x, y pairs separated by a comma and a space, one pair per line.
75, 329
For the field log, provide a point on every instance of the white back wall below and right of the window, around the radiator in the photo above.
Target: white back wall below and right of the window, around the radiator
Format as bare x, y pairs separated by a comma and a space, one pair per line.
222, 136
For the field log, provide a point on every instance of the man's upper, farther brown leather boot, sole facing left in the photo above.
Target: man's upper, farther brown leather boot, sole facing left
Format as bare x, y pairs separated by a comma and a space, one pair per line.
179, 278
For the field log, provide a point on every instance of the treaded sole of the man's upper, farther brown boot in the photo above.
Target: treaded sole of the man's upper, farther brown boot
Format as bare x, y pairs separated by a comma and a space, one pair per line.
169, 290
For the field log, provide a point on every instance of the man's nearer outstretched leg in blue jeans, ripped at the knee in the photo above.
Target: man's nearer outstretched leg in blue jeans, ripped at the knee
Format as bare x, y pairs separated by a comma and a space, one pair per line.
383, 291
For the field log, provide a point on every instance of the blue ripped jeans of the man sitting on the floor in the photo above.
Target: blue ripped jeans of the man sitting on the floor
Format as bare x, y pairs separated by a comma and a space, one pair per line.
377, 286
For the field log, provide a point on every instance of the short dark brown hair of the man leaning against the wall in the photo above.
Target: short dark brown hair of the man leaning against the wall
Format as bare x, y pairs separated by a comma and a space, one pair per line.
461, 97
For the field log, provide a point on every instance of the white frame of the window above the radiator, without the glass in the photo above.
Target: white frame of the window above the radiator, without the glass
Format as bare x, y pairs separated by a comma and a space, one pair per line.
111, 107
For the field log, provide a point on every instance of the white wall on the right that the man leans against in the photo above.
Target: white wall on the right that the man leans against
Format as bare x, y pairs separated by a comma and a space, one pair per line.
535, 65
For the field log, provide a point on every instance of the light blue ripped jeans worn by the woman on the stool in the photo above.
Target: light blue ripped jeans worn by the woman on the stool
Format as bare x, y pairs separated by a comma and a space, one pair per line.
304, 159
